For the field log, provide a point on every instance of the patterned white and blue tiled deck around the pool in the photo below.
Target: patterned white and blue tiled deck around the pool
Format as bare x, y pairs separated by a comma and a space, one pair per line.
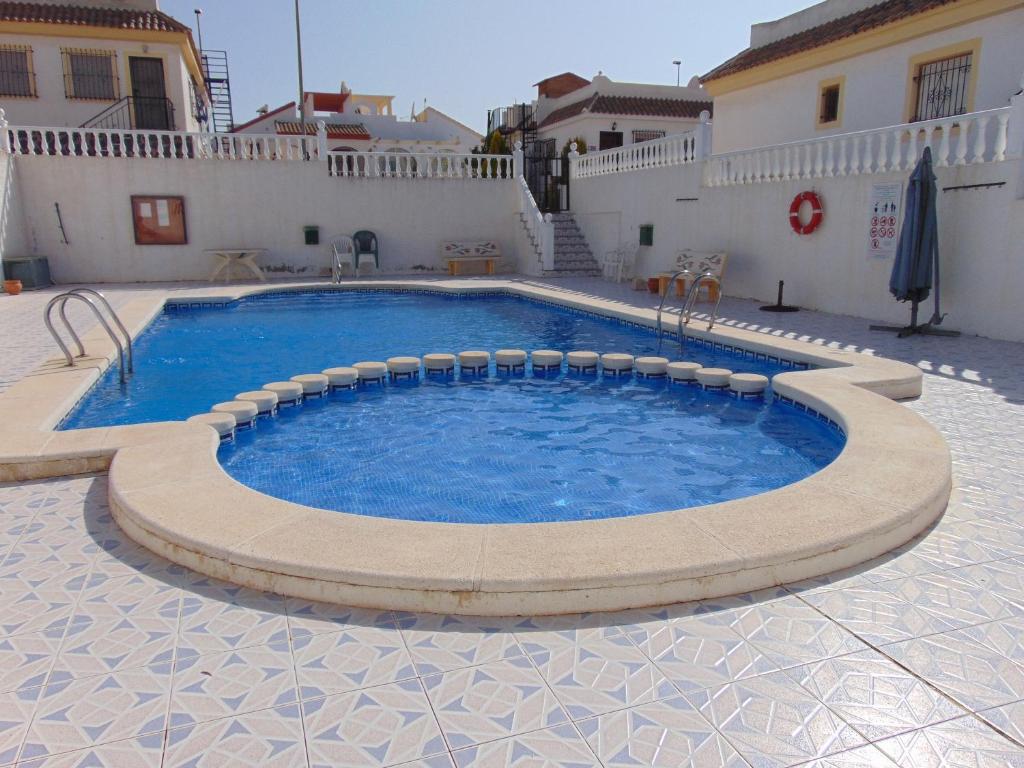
112, 657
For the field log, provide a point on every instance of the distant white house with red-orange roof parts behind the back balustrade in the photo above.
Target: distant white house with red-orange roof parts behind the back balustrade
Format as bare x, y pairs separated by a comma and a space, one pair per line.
366, 122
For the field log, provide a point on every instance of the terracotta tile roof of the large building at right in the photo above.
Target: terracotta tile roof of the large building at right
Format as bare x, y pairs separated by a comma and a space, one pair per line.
855, 24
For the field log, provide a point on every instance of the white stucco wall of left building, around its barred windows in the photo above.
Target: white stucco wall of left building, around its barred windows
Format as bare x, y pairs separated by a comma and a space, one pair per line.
52, 108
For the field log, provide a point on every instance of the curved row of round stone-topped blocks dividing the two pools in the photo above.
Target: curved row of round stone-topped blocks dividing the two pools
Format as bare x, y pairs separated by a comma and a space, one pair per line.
243, 412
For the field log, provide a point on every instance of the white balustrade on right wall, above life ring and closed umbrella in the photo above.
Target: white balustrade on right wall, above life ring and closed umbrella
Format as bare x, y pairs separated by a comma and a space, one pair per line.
965, 140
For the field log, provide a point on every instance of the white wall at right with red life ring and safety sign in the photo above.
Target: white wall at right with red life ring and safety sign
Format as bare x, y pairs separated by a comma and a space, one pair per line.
982, 240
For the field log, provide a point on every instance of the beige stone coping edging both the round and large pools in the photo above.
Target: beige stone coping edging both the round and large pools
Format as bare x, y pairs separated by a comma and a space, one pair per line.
891, 481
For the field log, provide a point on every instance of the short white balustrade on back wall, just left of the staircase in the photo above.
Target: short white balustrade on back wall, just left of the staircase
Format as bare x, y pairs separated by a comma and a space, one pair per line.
442, 165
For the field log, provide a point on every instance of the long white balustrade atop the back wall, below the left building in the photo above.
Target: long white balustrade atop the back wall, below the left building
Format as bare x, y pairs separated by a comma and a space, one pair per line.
108, 143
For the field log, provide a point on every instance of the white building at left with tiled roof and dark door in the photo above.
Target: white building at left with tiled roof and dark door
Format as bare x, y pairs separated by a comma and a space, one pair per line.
118, 64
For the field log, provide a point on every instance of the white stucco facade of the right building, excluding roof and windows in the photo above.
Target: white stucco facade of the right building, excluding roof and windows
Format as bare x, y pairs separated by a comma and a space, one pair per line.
876, 90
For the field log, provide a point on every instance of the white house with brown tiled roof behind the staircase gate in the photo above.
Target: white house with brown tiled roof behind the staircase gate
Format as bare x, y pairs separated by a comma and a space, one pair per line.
608, 114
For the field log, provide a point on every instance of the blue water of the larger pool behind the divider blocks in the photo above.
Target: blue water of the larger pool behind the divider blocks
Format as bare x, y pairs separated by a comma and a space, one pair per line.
188, 361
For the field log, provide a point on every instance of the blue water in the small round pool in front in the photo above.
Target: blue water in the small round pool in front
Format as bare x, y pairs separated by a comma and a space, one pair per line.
527, 450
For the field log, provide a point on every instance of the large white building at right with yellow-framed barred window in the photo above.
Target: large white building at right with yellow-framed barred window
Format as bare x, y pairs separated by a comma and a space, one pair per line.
846, 66
